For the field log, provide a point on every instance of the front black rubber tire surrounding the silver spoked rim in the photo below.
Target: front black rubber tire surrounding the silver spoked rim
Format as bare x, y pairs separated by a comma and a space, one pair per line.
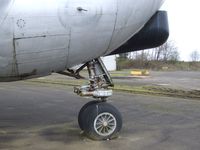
92, 112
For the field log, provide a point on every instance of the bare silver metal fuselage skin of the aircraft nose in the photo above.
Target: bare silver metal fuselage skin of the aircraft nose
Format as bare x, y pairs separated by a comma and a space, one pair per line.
38, 37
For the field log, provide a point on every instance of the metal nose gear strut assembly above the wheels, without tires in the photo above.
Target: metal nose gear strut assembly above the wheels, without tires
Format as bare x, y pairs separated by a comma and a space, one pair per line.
99, 81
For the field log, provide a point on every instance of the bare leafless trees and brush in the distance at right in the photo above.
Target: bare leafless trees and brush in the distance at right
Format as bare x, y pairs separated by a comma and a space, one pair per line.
166, 54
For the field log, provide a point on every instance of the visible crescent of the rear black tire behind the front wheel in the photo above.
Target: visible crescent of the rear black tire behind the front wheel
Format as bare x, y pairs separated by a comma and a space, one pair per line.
81, 116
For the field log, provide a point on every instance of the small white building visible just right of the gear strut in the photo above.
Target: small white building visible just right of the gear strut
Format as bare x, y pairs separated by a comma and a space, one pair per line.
110, 62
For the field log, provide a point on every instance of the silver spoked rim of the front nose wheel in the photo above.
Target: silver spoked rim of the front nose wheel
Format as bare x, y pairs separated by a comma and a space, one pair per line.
105, 124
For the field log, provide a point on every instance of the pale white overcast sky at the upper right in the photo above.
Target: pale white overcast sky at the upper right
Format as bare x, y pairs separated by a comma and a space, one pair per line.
184, 24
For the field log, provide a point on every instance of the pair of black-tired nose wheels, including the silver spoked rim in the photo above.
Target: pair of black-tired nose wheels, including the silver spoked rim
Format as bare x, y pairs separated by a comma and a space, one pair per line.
100, 120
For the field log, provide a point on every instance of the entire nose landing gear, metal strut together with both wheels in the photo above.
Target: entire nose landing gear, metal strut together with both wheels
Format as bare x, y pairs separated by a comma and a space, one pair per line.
98, 119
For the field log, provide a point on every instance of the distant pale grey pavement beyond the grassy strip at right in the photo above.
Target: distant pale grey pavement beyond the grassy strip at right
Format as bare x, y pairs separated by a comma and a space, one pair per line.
175, 79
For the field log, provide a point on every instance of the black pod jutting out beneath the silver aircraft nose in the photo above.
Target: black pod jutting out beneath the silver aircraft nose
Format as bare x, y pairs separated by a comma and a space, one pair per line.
153, 34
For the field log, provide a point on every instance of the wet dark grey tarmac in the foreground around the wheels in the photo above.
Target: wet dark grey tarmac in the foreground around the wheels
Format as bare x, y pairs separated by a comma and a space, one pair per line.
35, 116
